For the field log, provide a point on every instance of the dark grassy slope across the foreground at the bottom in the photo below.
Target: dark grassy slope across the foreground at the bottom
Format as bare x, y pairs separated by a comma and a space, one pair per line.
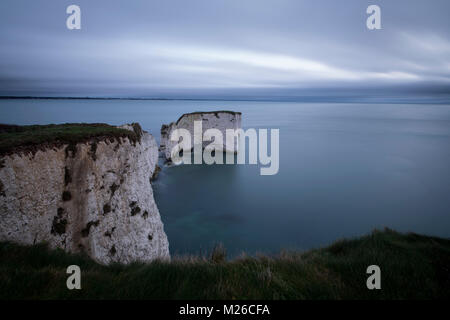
412, 267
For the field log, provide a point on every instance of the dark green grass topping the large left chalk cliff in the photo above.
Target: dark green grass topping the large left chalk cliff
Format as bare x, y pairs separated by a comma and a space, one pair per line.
27, 138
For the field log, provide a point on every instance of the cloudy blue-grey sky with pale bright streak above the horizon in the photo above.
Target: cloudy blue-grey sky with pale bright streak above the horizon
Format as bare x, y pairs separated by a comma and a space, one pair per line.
218, 48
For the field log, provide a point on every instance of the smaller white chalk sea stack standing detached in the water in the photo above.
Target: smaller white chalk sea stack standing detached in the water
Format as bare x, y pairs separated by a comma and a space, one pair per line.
220, 120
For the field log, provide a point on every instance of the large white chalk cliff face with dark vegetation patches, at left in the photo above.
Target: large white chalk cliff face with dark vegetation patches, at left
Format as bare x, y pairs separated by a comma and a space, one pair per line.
94, 196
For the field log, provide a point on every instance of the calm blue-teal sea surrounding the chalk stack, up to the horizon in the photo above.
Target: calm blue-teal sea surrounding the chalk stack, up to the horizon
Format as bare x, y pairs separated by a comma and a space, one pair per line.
345, 169
